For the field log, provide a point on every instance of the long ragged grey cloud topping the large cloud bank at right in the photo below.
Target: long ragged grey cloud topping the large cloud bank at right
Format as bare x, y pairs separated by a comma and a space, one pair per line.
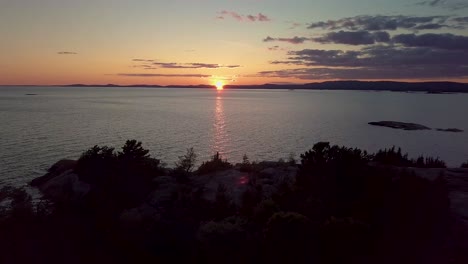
381, 23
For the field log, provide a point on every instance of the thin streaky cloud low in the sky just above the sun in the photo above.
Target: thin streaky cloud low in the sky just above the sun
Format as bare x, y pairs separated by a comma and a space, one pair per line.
152, 64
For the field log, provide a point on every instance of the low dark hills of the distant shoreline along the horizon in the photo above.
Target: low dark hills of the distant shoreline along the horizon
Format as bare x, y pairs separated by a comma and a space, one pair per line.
429, 87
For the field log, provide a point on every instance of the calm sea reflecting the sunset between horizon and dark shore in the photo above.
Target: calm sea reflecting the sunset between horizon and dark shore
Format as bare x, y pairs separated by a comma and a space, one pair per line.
38, 130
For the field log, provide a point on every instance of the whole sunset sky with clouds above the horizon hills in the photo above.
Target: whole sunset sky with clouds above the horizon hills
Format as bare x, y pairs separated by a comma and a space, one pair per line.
191, 42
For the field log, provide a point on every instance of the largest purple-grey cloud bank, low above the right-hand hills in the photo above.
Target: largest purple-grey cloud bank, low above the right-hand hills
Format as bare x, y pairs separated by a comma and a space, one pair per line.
374, 62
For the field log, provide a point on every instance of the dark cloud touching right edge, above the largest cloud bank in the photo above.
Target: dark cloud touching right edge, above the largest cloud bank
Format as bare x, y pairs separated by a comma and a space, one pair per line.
439, 41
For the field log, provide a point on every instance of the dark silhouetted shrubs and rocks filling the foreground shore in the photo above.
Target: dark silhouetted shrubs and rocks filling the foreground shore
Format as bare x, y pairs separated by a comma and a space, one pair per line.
342, 206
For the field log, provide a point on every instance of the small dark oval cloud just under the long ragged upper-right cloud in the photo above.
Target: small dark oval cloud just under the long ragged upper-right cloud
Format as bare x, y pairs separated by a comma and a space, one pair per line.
354, 37
